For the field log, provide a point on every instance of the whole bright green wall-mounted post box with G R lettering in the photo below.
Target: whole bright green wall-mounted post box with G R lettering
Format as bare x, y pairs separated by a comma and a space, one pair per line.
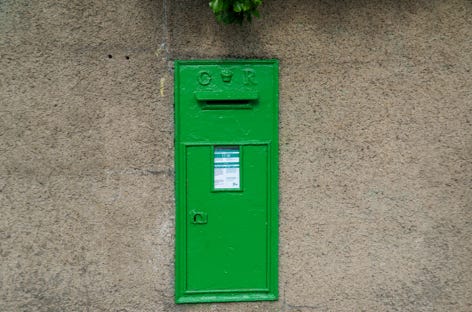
226, 147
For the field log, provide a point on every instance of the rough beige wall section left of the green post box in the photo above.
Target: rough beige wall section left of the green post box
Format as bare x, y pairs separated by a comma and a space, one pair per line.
86, 157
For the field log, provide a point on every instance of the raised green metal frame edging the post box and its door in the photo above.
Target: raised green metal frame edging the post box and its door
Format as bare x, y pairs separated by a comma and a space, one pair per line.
181, 294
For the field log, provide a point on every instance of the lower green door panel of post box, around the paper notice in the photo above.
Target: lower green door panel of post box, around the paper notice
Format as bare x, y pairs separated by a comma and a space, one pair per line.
229, 252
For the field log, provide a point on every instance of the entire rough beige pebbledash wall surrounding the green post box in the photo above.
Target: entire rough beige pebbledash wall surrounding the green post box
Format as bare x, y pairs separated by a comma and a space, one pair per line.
375, 151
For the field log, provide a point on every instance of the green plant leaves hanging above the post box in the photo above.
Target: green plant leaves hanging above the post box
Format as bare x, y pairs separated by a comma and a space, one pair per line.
235, 11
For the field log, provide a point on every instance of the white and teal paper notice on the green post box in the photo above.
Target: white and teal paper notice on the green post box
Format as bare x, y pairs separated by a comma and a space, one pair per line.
226, 168
